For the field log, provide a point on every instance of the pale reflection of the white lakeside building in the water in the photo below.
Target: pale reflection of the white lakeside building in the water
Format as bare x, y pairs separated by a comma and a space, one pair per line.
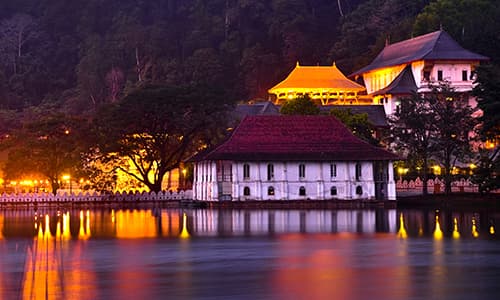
270, 222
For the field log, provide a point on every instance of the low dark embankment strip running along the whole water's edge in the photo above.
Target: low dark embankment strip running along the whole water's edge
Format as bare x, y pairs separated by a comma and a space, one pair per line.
436, 201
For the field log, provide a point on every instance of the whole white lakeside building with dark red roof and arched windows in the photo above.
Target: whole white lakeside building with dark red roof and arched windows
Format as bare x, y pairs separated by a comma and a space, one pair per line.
293, 158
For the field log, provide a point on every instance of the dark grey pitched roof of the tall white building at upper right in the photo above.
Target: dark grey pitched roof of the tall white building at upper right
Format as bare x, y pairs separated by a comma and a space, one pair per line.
437, 45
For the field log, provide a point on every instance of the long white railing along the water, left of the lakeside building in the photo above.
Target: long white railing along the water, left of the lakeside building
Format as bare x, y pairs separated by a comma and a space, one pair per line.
94, 197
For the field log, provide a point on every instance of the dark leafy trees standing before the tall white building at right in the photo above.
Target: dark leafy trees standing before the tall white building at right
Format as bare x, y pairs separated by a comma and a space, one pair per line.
437, 125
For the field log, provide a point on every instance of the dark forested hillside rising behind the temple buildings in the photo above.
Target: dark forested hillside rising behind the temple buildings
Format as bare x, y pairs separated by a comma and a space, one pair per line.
75, 55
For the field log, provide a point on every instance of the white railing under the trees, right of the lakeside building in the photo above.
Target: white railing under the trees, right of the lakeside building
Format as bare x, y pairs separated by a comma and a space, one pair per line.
437, 185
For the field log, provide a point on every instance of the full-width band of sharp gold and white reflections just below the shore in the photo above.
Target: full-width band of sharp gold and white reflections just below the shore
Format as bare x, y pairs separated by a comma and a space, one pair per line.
175, 223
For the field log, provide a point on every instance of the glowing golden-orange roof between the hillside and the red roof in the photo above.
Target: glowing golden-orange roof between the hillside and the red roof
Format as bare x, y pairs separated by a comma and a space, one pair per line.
317, 77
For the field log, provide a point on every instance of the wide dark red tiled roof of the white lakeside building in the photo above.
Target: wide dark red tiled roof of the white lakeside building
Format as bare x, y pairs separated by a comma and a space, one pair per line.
295, 138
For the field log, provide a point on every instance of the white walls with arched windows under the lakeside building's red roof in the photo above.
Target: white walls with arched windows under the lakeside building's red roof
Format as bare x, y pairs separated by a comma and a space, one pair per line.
286, 182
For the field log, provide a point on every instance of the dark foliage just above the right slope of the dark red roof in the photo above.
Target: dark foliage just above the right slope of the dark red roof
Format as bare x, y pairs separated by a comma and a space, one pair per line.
357, 123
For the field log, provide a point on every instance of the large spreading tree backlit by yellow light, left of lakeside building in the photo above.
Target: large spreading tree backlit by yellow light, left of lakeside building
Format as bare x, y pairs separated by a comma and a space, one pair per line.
157, 127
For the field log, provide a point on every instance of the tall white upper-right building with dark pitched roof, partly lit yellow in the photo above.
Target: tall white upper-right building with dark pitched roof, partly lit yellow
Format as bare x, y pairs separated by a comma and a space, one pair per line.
415, 65
